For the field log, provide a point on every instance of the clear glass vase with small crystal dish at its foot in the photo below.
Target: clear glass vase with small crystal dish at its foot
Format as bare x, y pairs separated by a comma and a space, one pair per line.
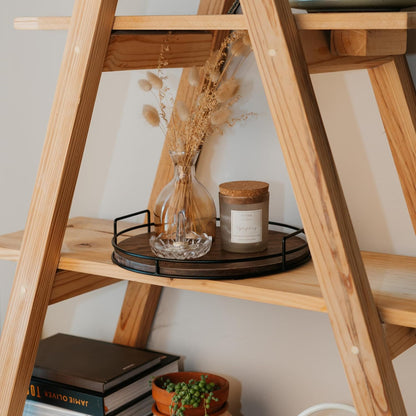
184, 213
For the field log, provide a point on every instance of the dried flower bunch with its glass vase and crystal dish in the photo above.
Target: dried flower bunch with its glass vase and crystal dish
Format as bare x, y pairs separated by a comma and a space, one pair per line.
184, 212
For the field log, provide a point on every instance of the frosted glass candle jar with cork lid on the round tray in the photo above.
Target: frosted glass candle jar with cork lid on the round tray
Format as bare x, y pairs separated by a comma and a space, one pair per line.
244, 216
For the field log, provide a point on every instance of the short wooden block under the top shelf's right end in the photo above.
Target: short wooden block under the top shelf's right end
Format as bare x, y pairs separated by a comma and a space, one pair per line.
368, 42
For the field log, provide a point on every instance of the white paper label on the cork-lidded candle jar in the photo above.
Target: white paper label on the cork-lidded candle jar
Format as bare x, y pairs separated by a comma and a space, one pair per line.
246, 226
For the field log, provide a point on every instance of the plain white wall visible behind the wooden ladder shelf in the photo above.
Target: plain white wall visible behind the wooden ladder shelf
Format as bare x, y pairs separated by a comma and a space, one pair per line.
279, 360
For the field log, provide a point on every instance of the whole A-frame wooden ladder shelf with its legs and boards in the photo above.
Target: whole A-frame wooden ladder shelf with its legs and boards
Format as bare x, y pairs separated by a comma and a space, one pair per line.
373, 317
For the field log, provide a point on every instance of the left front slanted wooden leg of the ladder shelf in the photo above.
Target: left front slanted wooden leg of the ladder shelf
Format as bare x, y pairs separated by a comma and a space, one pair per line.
78, 82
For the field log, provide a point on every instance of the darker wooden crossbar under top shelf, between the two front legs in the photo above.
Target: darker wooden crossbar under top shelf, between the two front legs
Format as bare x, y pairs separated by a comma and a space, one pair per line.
141, 50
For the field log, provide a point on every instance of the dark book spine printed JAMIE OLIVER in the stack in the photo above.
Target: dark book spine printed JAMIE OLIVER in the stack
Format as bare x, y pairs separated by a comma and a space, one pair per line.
63, 396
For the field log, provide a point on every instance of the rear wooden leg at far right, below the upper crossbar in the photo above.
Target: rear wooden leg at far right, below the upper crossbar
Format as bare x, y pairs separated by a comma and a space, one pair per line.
396, 97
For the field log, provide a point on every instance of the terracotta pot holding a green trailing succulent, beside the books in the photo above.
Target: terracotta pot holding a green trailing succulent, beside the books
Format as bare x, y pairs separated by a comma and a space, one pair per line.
163, 398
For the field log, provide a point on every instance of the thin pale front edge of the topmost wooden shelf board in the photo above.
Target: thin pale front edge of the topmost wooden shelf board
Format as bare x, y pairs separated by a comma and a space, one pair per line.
307, 21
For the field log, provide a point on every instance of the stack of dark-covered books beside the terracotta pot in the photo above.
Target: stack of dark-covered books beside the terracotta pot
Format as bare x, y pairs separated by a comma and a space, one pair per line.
81, 376
